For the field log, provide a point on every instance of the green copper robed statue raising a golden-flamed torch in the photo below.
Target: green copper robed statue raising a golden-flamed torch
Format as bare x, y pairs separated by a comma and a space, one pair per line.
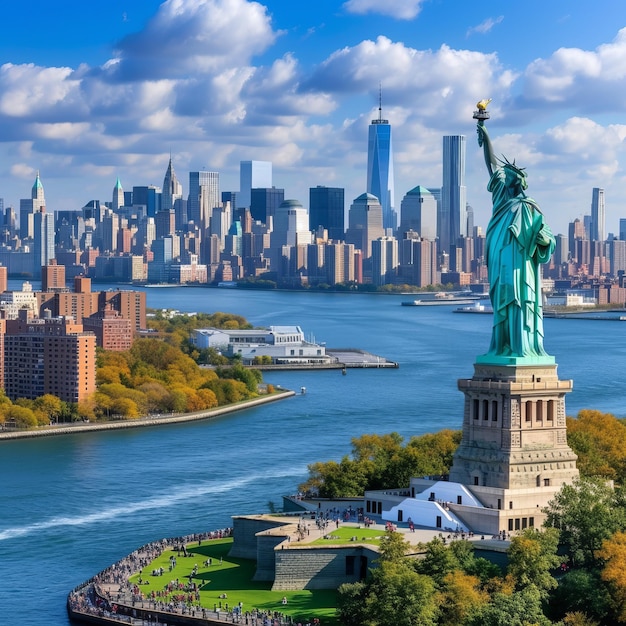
517, 242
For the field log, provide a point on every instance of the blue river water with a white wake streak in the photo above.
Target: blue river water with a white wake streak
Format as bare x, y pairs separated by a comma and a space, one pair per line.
72, 505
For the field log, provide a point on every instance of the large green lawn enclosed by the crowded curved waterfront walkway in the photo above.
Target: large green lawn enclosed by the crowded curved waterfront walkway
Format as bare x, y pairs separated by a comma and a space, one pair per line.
233, 577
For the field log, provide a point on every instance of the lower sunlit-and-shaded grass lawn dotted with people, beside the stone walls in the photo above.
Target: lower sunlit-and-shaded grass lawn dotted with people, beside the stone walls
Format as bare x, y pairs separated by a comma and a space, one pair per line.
205, 576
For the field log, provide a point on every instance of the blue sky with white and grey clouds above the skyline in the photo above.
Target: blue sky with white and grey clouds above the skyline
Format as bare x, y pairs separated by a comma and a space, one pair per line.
94, 90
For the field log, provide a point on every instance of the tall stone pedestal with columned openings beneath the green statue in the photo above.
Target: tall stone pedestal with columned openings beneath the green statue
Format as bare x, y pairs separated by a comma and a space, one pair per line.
514, 455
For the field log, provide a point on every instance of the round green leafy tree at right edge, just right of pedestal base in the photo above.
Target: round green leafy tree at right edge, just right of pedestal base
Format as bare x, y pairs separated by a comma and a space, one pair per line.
586, 513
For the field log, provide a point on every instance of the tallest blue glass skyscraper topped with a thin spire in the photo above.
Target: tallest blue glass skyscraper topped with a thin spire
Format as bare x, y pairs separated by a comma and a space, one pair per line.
380, 167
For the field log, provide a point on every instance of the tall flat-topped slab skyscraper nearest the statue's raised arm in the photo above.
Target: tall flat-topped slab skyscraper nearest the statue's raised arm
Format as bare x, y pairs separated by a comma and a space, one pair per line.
453, 215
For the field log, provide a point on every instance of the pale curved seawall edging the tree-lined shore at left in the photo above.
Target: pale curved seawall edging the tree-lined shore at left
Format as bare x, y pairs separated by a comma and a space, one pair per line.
80, 427
